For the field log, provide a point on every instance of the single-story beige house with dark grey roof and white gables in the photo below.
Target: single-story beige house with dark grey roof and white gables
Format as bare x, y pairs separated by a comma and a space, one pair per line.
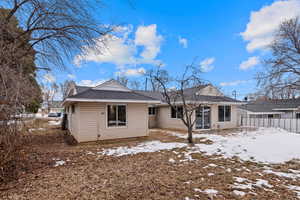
111, 110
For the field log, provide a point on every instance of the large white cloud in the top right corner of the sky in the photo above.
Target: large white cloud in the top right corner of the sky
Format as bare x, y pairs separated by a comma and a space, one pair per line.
263, 23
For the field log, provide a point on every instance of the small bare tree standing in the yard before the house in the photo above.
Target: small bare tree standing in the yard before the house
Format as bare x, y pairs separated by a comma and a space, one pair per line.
176, 93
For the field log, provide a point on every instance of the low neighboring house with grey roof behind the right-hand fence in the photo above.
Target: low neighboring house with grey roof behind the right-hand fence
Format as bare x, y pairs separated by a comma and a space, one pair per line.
276, 108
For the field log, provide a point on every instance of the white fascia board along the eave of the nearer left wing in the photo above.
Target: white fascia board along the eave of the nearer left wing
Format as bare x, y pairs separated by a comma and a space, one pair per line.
110, 100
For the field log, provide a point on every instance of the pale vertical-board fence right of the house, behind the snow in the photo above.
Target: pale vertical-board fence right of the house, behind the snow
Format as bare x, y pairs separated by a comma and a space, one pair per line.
289, 124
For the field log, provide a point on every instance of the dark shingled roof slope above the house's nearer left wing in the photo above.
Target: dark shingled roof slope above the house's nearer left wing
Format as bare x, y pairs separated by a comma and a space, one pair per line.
109, 95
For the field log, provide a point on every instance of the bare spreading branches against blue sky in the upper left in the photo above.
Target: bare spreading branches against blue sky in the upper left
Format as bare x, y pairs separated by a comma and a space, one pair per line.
57, 29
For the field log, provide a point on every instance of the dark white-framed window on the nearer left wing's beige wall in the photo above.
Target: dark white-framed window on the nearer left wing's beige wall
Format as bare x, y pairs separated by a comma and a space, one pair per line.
116, 115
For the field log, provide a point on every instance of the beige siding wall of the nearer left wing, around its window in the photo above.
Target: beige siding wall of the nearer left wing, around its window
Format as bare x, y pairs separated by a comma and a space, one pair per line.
92, 122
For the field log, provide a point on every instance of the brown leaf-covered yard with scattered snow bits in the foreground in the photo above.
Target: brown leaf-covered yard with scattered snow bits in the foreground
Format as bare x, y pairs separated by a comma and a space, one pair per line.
60, 171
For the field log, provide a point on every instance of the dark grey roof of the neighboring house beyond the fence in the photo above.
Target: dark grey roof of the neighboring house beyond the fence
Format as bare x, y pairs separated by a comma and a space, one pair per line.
274, 105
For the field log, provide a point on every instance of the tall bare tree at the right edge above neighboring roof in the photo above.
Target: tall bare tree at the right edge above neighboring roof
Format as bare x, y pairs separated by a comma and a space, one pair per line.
281, 75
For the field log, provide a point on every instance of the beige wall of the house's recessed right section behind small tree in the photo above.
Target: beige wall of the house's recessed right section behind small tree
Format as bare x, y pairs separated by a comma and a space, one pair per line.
164, 119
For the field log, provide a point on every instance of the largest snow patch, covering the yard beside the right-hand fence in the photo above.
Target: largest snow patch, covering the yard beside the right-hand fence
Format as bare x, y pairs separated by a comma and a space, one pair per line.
267, 145
